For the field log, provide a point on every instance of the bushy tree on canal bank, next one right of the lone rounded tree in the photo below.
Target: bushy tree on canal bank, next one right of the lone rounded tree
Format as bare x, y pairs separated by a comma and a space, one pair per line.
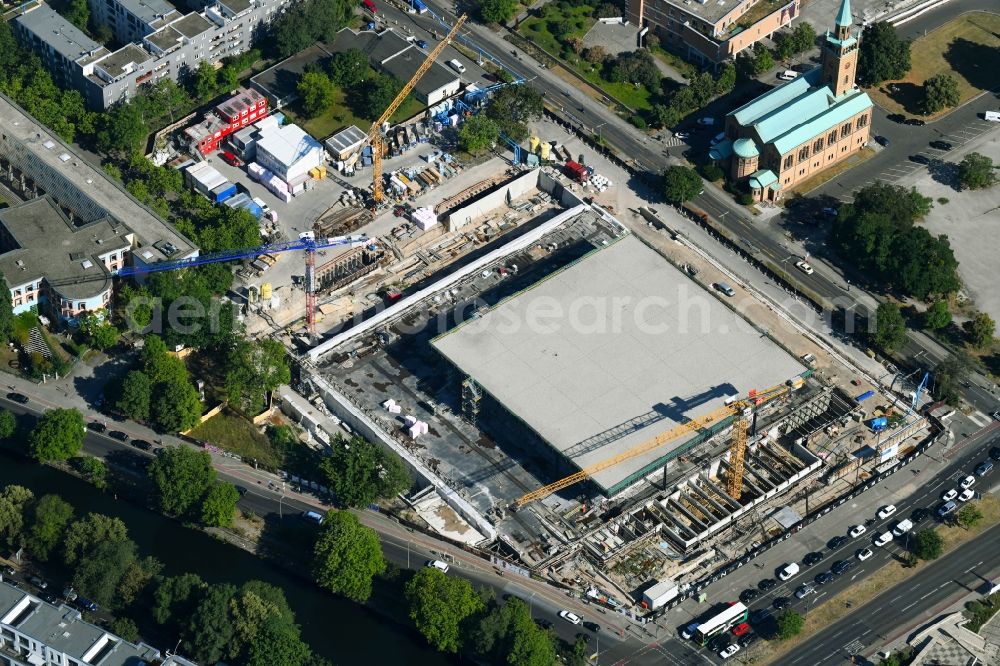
439, 606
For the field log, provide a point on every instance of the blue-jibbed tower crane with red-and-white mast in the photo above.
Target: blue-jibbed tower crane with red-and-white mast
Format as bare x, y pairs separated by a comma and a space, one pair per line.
307, 242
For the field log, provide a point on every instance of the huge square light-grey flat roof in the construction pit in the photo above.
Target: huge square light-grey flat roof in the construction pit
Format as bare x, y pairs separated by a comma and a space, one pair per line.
637, 344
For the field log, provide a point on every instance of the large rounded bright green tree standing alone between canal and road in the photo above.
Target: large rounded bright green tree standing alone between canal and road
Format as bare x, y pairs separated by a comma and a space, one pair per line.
347, 556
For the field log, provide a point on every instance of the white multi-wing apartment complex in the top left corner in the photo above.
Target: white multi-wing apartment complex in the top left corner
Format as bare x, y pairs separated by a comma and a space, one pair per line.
163, 42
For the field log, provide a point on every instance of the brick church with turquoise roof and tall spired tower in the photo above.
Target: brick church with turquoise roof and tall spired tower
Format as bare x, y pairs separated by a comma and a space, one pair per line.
802, 127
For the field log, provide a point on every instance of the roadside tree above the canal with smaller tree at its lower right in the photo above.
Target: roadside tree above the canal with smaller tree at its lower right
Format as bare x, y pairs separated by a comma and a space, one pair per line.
182, 476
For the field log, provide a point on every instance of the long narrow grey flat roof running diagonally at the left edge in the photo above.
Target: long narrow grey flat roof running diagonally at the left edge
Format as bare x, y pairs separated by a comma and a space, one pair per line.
86, 190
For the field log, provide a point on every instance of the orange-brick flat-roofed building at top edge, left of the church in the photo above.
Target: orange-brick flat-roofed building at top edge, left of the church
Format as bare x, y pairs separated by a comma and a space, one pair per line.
710, 32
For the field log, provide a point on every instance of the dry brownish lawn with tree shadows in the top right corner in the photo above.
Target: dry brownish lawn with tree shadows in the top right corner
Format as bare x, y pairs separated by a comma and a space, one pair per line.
967, 47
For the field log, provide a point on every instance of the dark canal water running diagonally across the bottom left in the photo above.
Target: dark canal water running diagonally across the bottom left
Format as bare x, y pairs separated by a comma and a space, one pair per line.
342, 631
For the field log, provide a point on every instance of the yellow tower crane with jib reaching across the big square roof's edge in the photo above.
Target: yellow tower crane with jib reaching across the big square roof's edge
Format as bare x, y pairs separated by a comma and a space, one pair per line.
741, 409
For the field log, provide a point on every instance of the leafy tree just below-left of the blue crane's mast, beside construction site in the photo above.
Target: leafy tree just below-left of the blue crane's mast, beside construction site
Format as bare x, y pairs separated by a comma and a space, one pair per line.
255, 368
